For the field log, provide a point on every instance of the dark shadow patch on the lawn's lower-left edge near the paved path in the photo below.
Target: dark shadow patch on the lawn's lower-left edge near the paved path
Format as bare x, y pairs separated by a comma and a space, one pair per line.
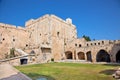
36, 76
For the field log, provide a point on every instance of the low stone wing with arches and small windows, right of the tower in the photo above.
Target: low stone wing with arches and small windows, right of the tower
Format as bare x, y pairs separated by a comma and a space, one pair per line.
94, 51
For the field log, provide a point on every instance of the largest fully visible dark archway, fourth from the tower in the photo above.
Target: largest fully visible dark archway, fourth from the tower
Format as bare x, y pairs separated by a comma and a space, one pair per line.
102, 56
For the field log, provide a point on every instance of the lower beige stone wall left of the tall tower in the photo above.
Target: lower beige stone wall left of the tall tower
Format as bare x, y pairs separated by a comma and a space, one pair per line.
10, 37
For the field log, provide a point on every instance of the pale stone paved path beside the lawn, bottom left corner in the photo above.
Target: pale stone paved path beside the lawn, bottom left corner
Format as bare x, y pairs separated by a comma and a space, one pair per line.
7, 72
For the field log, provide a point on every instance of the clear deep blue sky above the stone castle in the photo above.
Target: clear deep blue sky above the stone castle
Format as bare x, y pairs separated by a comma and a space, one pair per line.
99, 19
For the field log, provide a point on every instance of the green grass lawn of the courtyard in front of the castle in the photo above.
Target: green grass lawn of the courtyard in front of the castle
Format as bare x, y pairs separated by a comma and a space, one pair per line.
70, 71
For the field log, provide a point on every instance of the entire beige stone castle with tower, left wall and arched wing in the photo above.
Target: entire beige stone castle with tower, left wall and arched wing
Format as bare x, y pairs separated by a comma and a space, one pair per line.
50, 37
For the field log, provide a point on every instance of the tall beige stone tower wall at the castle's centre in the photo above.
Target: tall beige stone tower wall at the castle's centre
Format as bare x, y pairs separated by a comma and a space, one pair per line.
51, 31
